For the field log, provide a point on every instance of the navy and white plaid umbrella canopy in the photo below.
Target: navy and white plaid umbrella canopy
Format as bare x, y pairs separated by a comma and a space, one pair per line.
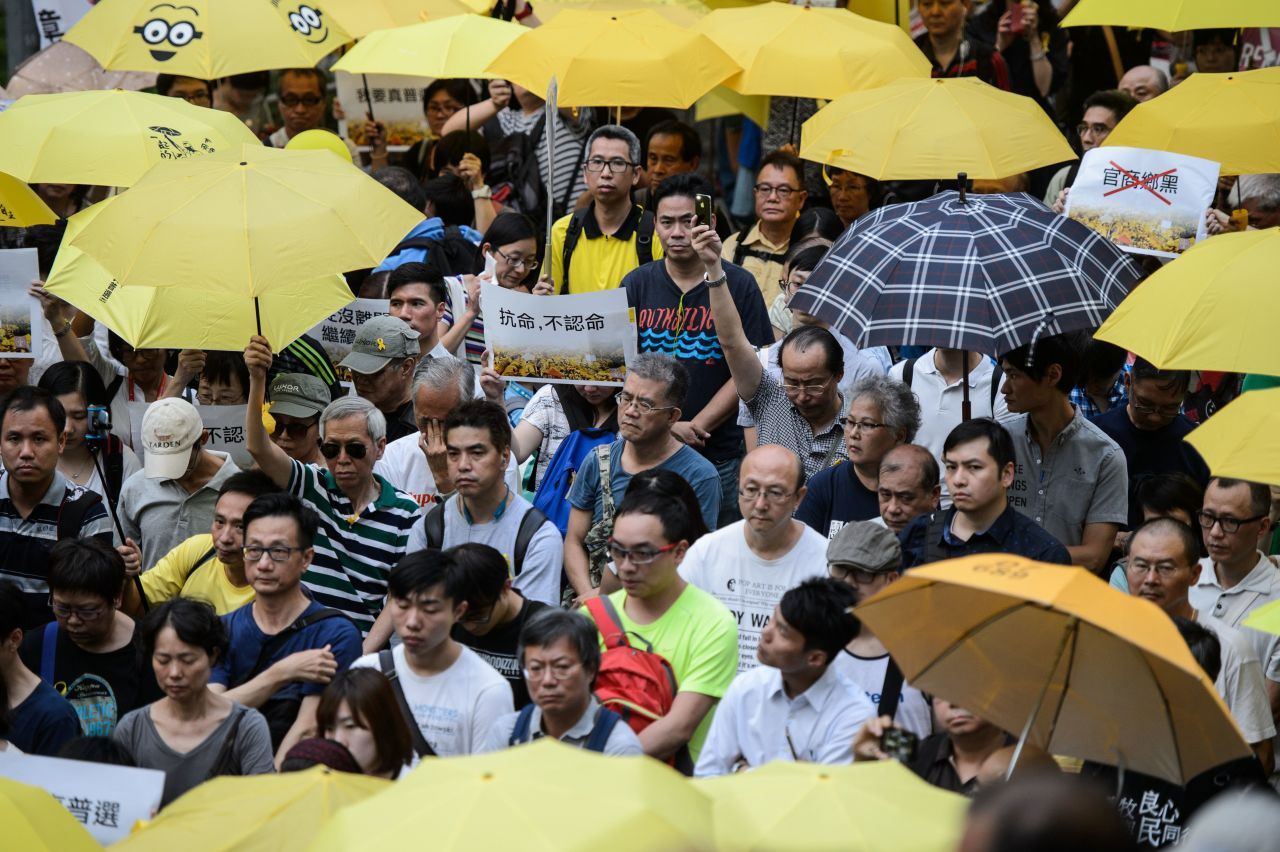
986, 274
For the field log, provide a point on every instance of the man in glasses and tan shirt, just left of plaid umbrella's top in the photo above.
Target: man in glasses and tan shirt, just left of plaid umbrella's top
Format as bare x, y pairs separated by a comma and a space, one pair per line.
762, 246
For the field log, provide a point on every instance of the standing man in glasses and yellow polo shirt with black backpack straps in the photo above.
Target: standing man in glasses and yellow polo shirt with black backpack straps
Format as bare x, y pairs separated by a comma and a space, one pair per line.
595, 248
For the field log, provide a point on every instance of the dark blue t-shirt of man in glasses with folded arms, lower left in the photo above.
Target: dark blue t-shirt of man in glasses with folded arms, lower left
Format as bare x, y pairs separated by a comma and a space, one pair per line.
248, 640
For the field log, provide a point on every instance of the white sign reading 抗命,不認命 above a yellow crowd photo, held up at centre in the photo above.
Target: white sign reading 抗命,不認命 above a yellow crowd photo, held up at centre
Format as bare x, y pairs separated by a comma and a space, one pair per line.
561, 340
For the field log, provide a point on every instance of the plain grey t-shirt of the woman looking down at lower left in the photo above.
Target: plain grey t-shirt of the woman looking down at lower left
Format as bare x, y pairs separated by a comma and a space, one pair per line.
252, 752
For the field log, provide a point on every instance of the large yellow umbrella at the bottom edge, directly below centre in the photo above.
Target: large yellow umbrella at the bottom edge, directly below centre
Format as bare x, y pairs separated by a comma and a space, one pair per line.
542, 798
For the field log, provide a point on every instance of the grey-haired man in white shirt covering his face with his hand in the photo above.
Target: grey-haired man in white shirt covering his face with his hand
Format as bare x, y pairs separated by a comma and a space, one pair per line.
419, 462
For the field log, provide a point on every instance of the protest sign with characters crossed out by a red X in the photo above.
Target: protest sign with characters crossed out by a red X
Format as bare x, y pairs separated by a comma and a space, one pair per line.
1148, 203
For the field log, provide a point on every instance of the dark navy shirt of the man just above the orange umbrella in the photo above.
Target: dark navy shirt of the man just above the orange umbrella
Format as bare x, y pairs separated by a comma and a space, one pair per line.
1012, 533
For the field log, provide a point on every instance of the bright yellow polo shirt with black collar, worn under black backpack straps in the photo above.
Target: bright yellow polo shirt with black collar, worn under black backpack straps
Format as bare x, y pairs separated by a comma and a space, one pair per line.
600, 260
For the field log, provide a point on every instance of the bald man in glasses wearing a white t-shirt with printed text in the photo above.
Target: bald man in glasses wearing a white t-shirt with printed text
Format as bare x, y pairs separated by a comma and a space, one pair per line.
748, 566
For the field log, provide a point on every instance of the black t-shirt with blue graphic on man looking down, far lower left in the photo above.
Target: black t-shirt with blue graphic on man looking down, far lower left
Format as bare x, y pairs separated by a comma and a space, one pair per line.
102, 688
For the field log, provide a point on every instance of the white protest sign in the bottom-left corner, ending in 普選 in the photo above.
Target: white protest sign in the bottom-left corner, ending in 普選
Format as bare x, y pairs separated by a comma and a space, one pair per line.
107, 799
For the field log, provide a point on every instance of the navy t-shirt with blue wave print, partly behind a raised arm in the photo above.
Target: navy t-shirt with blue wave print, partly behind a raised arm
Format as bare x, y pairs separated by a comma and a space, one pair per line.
680, 326
